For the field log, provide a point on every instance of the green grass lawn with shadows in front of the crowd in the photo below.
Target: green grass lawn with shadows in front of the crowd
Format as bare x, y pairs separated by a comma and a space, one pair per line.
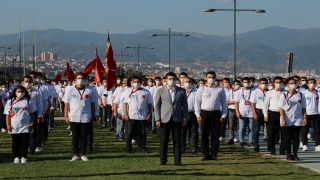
110, 162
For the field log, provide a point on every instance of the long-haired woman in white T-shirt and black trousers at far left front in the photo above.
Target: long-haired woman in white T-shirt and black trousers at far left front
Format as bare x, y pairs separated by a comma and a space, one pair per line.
20, 119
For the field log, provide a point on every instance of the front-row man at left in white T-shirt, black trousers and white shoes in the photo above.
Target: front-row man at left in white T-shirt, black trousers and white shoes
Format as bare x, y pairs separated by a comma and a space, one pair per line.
79, 113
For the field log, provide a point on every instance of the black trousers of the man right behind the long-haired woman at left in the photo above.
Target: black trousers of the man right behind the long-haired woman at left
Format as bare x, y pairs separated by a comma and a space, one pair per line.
35, 137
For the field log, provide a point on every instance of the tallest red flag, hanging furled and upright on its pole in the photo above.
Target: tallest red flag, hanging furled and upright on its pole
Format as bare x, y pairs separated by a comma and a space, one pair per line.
111, 66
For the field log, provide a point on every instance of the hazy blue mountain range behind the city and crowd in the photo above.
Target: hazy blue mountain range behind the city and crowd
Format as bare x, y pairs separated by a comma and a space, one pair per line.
257, 51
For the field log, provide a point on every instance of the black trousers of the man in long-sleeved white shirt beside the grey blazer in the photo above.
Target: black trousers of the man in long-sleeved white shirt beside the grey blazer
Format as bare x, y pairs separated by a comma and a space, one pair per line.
210, 123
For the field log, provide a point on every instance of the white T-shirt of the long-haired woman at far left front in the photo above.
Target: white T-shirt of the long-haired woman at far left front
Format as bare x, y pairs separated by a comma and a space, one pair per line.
21, 118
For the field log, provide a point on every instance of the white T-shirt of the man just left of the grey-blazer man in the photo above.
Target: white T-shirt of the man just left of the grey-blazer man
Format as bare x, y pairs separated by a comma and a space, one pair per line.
138, 105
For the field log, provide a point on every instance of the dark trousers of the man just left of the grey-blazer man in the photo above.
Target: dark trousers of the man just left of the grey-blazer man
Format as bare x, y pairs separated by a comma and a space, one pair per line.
136, 127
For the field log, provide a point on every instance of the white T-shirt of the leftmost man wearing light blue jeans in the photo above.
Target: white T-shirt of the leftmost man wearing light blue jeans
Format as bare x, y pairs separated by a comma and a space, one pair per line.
242, 96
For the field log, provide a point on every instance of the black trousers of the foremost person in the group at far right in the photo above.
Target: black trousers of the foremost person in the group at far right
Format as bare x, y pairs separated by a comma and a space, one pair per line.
291, 134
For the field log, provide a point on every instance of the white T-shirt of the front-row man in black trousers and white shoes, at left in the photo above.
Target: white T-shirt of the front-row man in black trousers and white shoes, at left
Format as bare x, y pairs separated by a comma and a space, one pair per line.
78, 113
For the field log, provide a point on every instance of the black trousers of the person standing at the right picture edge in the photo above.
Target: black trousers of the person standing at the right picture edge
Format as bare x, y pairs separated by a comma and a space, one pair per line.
315, 119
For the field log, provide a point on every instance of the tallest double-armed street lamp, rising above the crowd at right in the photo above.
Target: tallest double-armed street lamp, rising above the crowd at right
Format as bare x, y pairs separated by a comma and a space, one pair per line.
234, 28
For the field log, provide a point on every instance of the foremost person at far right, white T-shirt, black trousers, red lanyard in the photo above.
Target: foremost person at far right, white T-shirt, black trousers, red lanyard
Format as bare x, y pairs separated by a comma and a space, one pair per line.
293, 116
